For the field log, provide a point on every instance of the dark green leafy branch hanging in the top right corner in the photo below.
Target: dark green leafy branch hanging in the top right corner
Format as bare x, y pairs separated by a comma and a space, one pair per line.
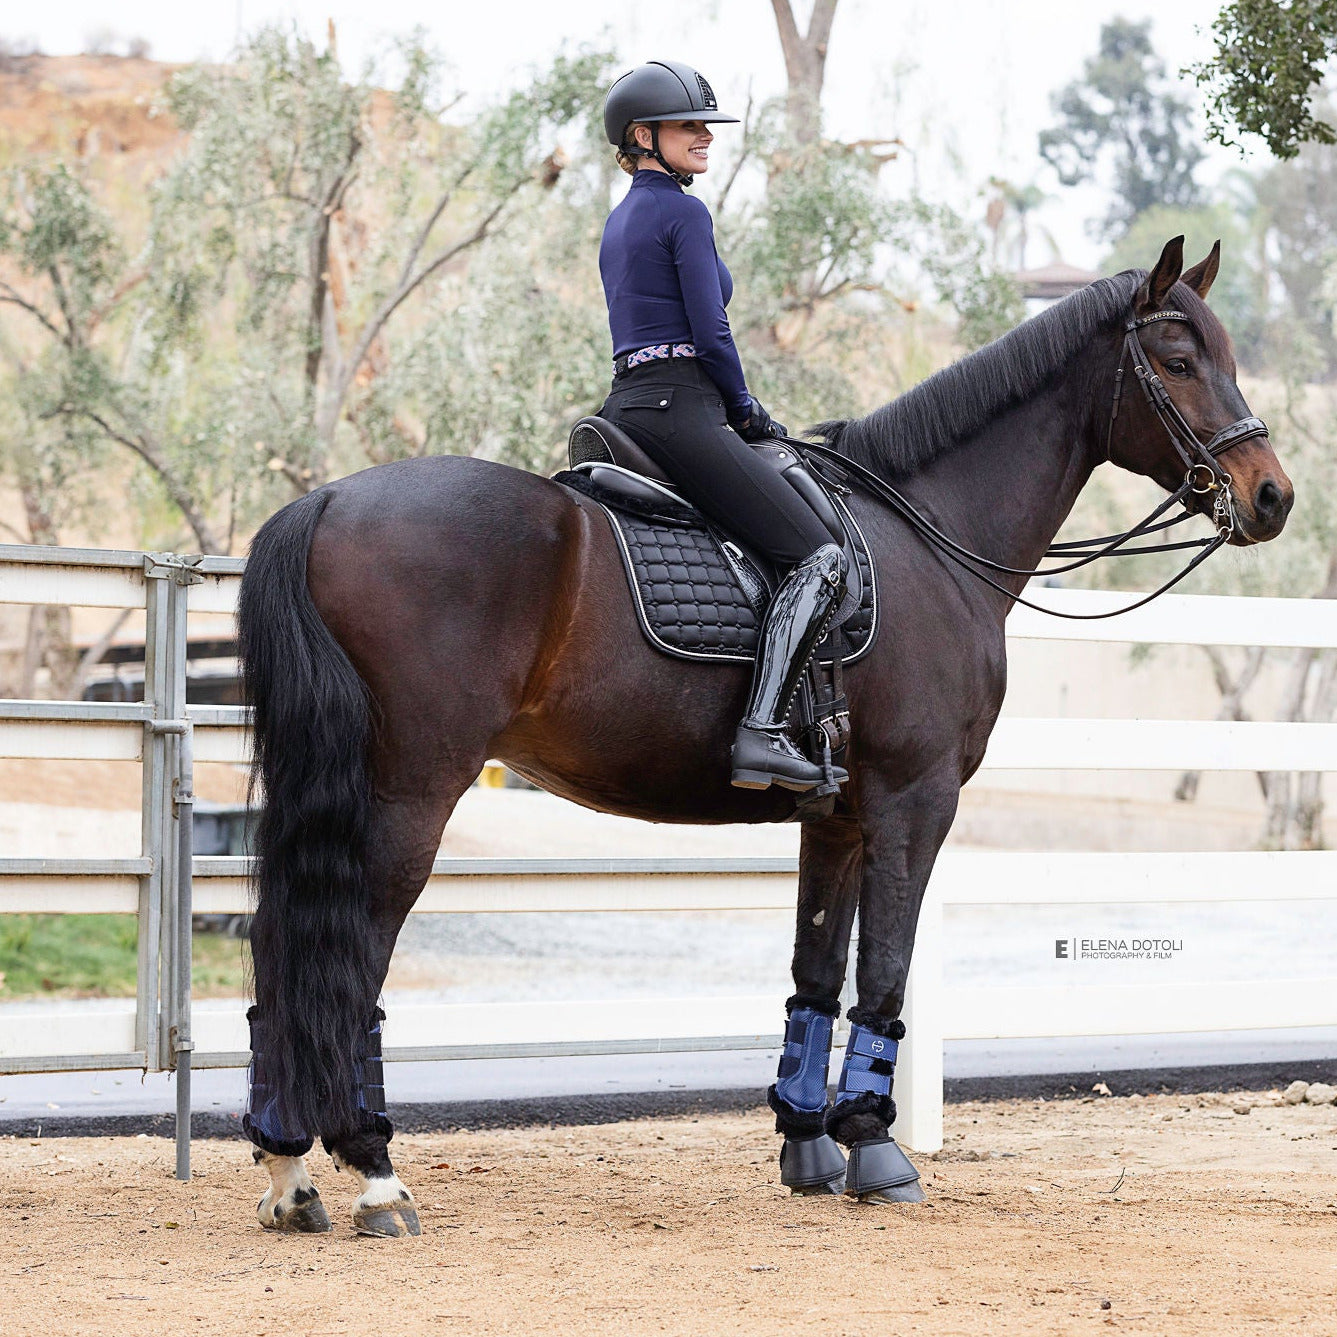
1267, 72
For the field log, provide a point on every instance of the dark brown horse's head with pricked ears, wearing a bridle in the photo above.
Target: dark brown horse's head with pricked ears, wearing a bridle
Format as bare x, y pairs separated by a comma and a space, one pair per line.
1187, 372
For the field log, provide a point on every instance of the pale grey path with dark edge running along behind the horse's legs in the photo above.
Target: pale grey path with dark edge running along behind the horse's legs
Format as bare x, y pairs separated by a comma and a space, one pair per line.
519, 1093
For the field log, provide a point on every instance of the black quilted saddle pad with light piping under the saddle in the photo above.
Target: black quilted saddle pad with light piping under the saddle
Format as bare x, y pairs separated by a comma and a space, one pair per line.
699, 597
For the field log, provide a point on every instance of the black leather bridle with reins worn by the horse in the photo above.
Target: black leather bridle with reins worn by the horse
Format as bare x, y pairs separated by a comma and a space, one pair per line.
1204, 475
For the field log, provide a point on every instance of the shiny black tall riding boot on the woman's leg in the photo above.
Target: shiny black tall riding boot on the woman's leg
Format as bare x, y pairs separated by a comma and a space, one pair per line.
796, 622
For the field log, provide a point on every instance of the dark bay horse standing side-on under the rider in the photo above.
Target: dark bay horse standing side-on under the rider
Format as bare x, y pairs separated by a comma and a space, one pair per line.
402, 626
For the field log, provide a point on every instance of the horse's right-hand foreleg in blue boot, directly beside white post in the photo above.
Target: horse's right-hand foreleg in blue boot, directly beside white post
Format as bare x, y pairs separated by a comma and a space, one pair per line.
903, 832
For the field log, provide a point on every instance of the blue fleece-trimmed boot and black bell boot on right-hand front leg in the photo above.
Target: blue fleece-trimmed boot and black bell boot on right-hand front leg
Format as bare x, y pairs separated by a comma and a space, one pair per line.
879, 1171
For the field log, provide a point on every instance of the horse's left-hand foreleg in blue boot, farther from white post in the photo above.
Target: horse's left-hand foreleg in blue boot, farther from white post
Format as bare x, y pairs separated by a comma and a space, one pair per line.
828, 894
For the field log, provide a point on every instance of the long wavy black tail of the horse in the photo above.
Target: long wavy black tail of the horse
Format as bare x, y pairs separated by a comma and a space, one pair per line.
312, 939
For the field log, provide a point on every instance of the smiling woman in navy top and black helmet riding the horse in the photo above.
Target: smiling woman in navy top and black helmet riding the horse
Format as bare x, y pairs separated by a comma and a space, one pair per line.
680, 392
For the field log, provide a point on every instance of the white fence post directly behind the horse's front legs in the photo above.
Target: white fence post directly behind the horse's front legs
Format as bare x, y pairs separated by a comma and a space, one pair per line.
919, 1068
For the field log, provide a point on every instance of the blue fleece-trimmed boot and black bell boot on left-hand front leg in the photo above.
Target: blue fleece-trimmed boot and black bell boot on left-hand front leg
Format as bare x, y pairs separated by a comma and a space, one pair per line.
810, 1160
